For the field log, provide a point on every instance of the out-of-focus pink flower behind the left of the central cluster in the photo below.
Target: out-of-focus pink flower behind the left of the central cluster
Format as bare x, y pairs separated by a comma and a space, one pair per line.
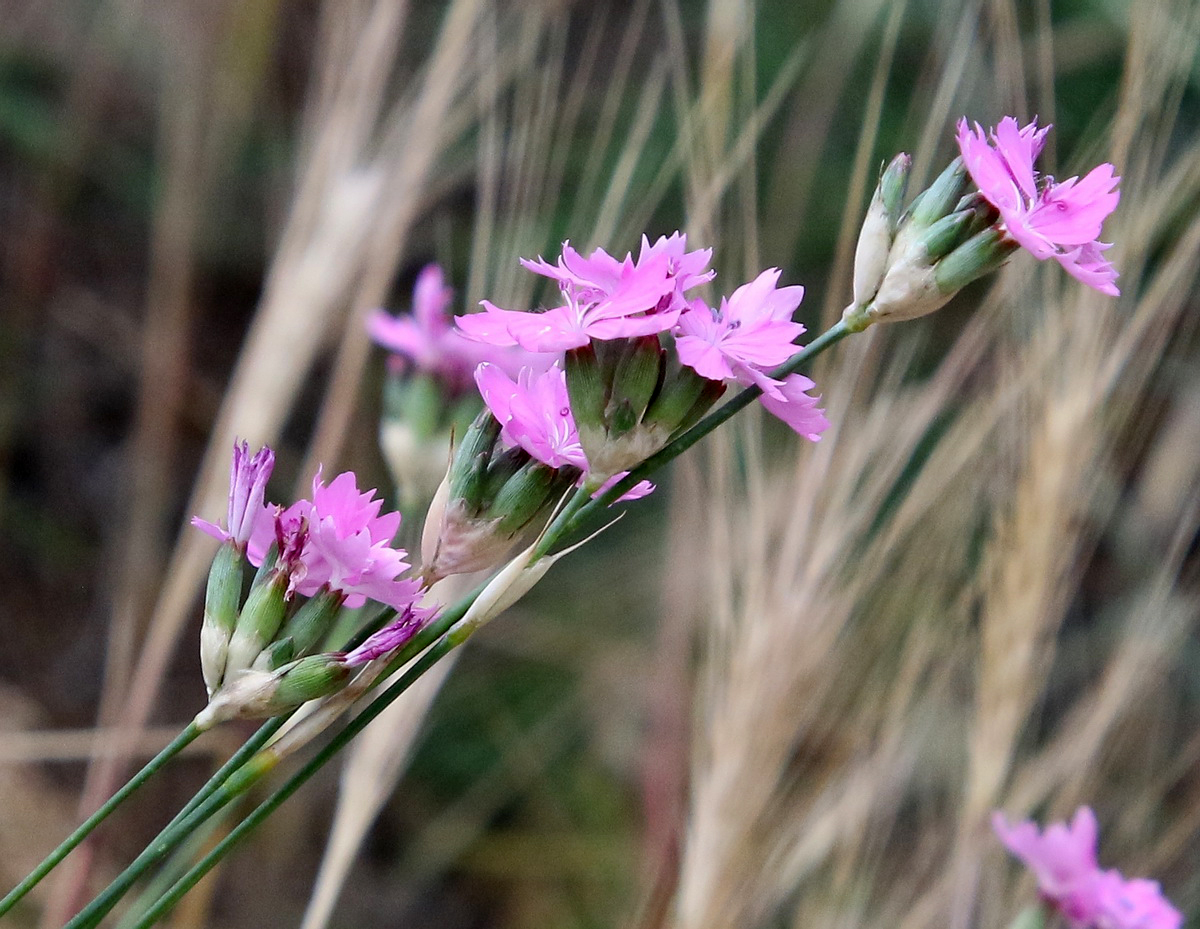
427, 340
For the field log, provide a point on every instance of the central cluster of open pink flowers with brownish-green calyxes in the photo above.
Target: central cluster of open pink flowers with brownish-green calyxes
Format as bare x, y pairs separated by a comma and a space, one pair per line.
625, 400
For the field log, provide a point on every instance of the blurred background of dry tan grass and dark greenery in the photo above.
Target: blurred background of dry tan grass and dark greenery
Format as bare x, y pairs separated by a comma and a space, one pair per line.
791, 687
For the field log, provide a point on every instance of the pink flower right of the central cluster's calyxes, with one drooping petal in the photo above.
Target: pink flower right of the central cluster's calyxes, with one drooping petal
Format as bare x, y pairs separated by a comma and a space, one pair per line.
751, 334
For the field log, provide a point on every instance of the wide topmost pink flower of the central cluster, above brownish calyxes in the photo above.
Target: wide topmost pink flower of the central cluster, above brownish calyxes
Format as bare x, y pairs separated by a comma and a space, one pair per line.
605, 298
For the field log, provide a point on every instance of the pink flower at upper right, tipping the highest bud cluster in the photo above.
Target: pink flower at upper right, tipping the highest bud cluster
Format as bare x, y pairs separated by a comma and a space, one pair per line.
1049, 219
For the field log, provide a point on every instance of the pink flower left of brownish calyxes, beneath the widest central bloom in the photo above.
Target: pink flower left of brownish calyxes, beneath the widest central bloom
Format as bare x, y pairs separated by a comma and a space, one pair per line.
535, 413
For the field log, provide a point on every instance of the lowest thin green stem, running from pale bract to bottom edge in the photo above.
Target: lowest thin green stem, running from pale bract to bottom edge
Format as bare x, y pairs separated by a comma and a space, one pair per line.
293, 784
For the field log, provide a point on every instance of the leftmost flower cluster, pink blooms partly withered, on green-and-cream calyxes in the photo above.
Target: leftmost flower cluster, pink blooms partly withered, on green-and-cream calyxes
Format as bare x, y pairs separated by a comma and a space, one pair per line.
314, 558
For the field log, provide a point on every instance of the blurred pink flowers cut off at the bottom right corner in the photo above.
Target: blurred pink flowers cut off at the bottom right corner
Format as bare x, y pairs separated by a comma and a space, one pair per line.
1064, 860
